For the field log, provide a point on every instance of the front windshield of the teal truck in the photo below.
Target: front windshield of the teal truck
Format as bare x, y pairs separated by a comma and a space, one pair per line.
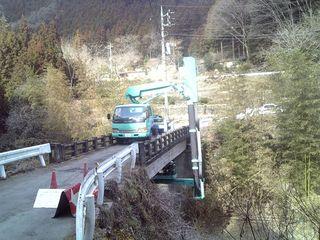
135, 114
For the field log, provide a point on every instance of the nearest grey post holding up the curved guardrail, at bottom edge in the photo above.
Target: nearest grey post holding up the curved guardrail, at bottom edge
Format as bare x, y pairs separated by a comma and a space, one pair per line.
90, 218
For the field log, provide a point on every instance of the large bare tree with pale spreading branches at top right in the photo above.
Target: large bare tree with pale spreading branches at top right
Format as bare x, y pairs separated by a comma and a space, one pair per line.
253, 22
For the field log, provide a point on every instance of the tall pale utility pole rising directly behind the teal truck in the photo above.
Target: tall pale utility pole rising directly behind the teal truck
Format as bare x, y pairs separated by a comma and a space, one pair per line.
164, 24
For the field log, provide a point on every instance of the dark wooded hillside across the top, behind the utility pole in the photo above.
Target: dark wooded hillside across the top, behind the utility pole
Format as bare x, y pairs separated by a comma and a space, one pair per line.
102, 20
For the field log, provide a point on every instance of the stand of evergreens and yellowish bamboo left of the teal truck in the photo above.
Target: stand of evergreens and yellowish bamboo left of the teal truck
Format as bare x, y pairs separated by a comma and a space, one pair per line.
42, 98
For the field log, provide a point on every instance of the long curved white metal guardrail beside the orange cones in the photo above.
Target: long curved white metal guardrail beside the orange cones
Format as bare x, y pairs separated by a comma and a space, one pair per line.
85, 216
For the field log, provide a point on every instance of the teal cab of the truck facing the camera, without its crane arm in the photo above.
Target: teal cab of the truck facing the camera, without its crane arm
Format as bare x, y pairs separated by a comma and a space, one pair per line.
132, 121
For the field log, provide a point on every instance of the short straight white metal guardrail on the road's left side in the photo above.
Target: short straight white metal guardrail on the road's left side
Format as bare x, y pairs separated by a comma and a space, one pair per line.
22, 154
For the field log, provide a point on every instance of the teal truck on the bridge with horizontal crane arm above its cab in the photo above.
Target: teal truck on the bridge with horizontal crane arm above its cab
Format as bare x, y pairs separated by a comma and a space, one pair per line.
137, 121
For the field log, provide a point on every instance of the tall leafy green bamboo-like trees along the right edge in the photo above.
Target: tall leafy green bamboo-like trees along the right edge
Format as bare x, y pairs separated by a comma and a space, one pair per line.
296, 54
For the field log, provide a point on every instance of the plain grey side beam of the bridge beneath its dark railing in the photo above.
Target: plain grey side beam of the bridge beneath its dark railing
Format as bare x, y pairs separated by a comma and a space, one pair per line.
155, 167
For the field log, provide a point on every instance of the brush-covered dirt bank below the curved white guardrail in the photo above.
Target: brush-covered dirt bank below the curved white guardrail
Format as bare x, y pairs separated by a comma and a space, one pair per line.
140, 210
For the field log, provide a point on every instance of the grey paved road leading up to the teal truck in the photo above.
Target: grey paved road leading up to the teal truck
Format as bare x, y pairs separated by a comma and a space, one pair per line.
18, 218
